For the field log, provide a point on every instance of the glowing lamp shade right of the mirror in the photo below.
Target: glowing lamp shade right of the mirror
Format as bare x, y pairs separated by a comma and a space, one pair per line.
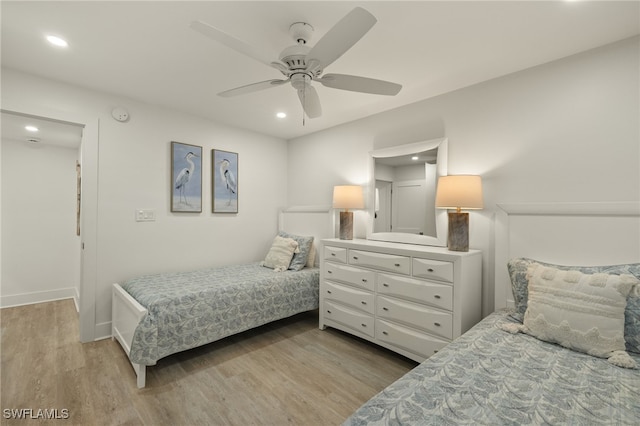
459, 192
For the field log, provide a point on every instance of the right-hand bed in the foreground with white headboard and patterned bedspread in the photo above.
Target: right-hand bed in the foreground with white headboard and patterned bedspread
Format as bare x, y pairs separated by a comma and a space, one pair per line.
499, 373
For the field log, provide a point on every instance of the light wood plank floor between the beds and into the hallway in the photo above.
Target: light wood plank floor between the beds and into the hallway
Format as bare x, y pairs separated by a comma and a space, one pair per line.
287, 372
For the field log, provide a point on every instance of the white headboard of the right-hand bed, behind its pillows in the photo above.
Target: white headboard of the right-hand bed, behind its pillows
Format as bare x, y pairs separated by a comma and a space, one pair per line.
589, 234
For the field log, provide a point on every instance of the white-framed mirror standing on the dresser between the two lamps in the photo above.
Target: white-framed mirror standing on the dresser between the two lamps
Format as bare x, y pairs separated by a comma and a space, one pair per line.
402, 192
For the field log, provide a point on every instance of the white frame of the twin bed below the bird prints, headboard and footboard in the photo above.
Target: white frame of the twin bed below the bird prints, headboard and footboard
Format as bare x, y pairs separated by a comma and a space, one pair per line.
318, 221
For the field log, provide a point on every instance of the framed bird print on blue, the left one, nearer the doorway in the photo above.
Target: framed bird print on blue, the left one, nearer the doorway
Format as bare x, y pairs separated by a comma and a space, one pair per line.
186, 178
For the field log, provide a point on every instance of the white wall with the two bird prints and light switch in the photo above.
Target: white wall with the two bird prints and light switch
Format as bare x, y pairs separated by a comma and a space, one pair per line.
134, 164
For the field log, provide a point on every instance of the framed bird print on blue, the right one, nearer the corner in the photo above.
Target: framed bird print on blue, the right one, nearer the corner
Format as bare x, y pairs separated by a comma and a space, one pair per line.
224, 181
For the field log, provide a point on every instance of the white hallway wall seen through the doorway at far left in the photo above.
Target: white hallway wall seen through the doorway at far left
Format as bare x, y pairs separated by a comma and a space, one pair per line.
41, 255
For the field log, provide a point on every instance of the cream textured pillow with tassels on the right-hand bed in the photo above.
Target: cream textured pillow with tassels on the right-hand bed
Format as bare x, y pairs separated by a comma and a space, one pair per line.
579, 311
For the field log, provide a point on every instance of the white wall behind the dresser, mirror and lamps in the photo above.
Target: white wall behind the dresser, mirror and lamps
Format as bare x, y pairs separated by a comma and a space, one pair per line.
564, 131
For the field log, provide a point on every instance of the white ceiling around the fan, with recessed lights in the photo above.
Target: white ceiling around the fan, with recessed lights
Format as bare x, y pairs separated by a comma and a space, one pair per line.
146, 51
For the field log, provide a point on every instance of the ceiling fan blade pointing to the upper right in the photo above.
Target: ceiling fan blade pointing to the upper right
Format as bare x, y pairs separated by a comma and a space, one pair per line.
342, 36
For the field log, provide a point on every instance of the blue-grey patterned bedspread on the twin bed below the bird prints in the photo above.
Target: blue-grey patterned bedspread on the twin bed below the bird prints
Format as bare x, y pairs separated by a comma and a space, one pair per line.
190, 309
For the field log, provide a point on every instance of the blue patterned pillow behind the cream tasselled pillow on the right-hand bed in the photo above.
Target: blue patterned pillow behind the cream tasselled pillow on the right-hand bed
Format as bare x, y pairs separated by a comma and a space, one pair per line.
519, 283
